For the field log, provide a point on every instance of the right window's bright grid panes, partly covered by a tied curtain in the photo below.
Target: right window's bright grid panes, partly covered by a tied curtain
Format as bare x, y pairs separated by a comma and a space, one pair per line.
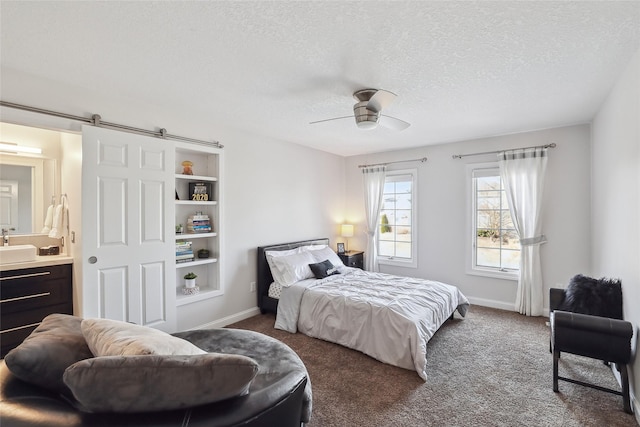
495, 242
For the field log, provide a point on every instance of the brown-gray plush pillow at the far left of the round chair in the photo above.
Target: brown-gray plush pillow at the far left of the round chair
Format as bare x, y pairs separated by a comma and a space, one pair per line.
54, 345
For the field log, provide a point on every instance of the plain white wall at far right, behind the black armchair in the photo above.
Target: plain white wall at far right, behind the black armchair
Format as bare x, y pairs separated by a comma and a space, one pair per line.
616, 198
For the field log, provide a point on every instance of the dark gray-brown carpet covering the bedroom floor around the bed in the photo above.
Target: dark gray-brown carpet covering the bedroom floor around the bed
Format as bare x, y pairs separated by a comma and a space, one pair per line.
491, 369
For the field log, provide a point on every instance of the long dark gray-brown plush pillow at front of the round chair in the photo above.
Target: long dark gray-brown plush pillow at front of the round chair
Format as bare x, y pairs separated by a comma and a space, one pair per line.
158, 383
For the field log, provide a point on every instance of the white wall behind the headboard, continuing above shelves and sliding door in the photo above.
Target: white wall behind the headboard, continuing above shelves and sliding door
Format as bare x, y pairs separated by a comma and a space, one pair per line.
274, 191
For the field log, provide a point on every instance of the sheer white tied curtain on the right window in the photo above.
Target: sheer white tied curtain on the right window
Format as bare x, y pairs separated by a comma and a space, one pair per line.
522, 173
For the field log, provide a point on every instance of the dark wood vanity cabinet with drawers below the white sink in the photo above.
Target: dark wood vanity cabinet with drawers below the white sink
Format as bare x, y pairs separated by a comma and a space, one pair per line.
27, 296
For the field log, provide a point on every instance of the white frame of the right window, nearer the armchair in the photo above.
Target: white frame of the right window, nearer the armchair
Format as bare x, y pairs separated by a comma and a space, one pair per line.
472, 267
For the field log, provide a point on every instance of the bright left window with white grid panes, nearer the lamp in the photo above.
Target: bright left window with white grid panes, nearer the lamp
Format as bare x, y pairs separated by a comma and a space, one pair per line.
397, 228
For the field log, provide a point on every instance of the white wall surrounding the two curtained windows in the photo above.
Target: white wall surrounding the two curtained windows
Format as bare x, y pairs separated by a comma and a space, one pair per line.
443, 210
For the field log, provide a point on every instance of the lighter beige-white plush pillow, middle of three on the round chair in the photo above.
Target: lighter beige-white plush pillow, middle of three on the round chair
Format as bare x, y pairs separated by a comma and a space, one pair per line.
106, 337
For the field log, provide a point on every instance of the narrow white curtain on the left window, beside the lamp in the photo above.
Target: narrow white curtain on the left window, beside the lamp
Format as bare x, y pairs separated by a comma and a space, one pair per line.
373, 188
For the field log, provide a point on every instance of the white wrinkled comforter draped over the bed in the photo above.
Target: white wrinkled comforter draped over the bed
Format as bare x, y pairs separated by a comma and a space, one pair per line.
390, 318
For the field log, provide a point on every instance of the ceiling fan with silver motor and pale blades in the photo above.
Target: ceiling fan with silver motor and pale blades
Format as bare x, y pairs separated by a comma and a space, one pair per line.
368, 110
